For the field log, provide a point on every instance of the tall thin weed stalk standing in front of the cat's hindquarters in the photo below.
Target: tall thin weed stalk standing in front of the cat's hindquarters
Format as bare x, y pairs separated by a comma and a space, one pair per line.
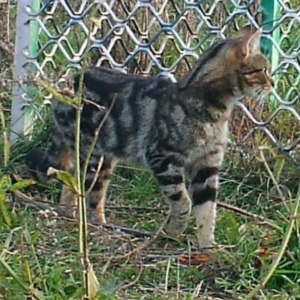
77, 184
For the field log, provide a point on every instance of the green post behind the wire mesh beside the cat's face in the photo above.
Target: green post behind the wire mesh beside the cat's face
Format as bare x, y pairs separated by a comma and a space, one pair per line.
271, 14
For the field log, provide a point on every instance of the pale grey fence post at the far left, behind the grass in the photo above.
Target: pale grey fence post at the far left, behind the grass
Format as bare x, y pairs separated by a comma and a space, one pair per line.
24, 45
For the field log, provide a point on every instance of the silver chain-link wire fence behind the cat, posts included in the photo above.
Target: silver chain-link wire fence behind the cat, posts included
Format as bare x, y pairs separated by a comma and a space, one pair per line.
162, 37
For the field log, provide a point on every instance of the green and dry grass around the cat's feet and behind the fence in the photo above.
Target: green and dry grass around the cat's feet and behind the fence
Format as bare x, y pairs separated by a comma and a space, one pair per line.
38, 247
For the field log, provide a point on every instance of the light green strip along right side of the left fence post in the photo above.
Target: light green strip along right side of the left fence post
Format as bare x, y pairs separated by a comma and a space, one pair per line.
33, 51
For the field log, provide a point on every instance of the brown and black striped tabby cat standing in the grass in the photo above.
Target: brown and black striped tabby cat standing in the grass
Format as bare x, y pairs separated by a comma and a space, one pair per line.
173, 129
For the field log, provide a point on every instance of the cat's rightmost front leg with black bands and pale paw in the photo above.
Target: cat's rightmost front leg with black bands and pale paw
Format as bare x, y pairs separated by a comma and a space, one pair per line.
205, 183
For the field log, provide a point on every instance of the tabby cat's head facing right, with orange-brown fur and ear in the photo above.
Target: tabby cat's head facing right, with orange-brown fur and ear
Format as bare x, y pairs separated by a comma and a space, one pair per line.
252, 68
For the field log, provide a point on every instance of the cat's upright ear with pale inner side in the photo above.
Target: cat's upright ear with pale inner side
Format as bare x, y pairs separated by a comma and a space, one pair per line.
250, 41
